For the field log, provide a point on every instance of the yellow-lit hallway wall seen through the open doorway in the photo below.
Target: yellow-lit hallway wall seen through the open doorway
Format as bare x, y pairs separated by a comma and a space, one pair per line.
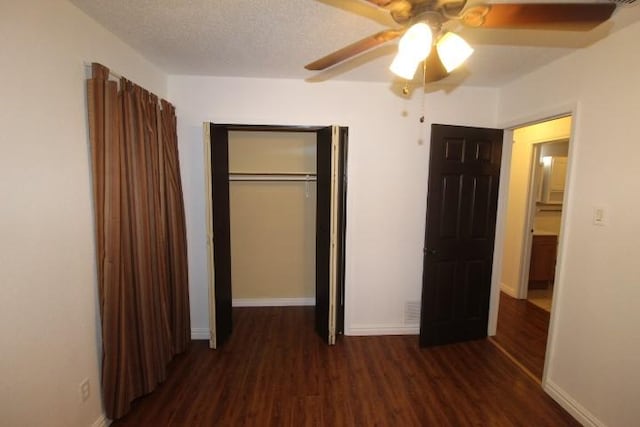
521, 158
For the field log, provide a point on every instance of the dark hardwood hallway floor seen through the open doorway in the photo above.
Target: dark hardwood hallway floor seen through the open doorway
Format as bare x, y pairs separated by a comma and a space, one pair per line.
522, 332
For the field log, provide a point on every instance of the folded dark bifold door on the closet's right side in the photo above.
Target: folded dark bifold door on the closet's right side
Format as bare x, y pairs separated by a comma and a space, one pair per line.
330, 231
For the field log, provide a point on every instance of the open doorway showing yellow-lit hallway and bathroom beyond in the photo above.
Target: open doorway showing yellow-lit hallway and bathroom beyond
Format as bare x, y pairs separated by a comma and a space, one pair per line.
539, 162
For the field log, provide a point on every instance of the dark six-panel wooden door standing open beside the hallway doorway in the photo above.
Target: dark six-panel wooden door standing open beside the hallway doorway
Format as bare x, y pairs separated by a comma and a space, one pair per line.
464, 172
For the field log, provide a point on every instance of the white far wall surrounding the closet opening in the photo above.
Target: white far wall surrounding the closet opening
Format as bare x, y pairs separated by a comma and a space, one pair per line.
388, 159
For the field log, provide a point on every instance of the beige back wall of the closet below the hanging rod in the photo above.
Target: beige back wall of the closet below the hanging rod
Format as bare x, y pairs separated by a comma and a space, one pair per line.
272, 240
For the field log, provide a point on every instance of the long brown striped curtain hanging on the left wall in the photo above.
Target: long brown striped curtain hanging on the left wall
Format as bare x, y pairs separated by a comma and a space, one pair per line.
140, 237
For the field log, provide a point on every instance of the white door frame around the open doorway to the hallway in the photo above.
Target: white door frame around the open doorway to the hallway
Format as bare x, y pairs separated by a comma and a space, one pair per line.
571, 109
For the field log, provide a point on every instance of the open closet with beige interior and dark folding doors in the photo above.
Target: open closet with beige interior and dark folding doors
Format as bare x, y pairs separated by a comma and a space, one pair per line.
276, 221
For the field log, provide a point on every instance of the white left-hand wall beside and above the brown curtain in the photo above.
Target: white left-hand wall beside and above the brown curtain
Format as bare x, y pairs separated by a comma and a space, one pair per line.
48, 311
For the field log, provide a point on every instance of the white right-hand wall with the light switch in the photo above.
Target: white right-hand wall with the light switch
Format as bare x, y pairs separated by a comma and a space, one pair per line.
593, 364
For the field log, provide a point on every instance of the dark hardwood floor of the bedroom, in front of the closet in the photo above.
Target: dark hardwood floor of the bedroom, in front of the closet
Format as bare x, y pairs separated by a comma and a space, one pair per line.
275, 371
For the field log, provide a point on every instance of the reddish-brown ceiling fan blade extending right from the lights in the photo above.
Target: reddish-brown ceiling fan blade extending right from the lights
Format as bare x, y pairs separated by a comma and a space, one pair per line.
556, 16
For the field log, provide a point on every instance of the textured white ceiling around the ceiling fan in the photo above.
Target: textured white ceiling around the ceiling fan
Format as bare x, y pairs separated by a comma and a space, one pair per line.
276, 38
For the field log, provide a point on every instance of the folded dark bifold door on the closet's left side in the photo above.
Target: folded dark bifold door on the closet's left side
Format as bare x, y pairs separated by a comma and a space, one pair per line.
221, 235
